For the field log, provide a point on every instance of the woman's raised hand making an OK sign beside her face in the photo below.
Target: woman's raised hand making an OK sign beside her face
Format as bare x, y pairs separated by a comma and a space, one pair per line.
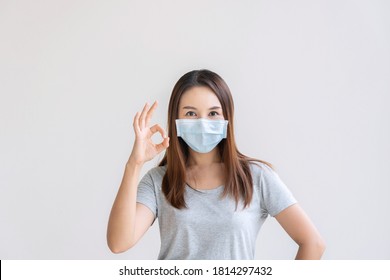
144, 149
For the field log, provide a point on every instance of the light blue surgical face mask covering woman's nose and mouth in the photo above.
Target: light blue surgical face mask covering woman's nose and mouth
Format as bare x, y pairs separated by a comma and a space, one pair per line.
202, 135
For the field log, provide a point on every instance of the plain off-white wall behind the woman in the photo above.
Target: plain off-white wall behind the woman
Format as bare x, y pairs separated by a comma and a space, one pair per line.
310, 81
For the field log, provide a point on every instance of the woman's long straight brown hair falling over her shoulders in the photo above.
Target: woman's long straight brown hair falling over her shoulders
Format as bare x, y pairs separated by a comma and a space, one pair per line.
238, 175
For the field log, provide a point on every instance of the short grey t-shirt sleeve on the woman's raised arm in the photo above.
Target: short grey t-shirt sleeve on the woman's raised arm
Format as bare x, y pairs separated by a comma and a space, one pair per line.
146, 193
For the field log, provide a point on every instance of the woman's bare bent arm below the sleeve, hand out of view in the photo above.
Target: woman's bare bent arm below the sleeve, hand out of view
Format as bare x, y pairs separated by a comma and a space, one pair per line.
298, 225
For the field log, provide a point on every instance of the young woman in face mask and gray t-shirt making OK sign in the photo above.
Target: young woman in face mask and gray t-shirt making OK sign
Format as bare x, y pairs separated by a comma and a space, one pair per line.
210, 200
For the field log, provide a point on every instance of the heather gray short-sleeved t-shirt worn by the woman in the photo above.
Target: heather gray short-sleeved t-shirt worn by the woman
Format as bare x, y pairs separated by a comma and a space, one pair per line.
211, 227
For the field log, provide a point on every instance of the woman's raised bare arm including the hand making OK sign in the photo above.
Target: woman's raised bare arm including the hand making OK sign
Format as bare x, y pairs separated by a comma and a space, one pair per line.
129, 220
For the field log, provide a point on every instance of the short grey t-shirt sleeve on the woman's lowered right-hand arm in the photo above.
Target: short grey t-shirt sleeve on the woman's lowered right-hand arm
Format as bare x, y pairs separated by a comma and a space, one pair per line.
275, 195
